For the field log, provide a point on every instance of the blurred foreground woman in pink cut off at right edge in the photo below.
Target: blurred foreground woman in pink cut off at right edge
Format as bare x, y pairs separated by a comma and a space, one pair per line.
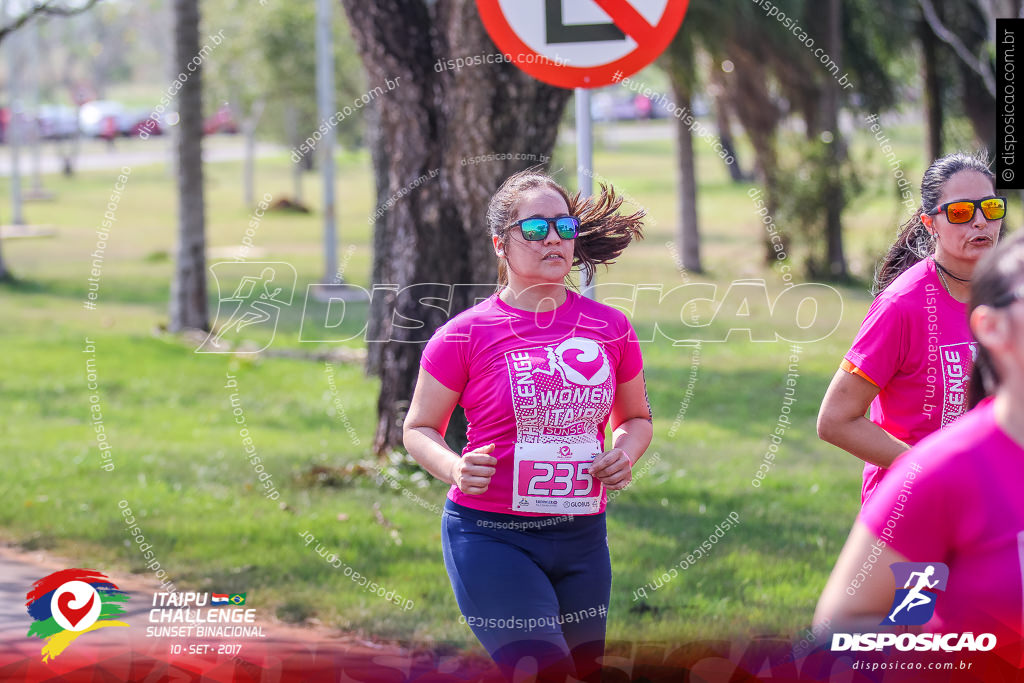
956, 498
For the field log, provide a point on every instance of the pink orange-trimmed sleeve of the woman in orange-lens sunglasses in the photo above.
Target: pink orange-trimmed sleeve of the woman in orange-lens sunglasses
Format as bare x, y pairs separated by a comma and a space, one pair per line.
881, 344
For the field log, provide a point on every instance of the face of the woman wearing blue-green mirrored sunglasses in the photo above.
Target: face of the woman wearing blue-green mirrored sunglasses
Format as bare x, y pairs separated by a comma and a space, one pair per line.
544, 262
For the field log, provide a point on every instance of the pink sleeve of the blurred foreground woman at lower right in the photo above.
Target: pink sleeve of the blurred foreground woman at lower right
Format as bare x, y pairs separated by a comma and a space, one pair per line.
911, 508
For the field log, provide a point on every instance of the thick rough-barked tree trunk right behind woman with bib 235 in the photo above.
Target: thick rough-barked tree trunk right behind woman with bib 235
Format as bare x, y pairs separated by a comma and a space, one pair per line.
432, 126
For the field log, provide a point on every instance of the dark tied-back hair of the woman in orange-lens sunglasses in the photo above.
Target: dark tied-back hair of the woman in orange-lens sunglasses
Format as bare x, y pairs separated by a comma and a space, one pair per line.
914, 242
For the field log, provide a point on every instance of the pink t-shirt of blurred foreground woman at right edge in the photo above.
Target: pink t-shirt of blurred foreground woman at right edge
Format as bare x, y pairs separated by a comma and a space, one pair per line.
957, 498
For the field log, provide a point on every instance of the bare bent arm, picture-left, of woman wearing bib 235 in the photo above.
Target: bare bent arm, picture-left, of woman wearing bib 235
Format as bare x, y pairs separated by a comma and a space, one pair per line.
423, 436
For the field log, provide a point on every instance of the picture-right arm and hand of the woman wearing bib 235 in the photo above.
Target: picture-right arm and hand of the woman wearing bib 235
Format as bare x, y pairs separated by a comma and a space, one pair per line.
632, 432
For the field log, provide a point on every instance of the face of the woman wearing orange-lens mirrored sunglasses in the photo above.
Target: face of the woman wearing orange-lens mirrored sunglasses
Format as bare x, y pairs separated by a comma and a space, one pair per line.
970, 241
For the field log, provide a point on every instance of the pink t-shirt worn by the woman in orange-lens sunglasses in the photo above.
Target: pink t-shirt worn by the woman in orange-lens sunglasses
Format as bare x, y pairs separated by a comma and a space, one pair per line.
917, 347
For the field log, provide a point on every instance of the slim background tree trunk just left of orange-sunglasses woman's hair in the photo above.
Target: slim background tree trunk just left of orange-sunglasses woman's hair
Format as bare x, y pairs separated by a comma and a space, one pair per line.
834, 200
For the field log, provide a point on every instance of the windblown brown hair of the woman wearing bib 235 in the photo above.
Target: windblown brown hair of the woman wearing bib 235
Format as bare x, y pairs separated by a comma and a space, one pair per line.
604, 234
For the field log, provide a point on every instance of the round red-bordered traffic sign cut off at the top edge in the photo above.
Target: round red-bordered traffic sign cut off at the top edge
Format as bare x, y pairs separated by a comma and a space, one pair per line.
583, 44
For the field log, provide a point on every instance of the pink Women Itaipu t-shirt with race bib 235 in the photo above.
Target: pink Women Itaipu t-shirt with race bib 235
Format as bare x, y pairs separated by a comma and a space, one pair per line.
540, 388
